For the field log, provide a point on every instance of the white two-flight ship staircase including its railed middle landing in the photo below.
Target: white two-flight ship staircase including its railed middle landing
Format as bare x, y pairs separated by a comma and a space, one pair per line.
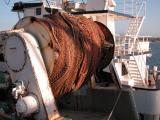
127, 49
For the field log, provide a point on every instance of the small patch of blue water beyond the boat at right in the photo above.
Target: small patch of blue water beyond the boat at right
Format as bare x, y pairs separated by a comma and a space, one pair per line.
155, 59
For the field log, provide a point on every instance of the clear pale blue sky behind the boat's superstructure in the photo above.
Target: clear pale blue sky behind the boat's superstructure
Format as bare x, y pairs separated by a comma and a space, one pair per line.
150, 26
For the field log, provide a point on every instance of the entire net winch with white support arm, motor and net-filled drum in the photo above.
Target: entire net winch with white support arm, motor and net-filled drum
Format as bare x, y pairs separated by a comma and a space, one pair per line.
49, 57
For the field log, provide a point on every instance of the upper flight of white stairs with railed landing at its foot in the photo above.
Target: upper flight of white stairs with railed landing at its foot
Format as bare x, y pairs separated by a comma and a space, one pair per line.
128, 42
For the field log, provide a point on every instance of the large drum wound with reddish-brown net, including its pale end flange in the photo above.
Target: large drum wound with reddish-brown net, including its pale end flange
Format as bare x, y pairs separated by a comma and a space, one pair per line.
73, 47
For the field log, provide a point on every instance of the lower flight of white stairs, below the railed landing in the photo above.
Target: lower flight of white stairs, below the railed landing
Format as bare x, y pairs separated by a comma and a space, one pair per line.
135, 74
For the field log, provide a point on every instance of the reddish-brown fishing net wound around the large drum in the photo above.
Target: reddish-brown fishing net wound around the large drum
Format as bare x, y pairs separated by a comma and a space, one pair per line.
80, 44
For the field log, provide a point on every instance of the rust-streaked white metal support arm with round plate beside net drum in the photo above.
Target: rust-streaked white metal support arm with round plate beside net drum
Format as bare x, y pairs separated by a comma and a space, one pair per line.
33, 73
